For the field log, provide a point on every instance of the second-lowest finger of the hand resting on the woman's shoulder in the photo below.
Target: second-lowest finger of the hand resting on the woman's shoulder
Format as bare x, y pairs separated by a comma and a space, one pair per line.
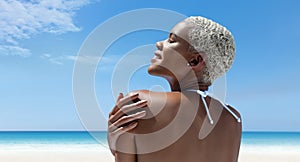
125, 120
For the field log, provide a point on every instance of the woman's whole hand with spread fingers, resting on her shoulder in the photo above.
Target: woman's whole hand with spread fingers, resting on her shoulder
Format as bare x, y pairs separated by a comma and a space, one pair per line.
120, 121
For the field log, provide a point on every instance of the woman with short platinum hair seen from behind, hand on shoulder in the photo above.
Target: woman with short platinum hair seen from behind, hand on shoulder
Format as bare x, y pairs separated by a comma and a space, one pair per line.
186, 124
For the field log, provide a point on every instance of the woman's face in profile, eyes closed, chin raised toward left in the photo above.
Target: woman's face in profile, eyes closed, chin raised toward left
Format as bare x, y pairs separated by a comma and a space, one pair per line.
170, 58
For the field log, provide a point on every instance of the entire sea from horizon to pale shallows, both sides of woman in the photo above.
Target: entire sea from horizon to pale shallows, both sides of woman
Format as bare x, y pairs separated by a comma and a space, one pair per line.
58, 140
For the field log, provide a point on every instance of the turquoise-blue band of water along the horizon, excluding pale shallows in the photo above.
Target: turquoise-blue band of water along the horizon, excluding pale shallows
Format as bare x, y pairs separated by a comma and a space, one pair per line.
84, 138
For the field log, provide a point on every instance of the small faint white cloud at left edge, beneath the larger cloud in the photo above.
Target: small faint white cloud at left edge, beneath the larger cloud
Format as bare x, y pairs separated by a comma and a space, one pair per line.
6, 50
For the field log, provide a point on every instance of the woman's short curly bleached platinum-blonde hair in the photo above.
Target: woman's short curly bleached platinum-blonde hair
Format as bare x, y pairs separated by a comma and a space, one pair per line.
216, 42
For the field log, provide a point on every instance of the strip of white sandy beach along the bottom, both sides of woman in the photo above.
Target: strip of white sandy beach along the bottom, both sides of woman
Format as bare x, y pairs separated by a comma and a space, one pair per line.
105, 156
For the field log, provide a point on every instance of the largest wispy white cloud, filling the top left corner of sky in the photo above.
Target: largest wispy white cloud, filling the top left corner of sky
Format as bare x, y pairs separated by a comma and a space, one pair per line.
22, 19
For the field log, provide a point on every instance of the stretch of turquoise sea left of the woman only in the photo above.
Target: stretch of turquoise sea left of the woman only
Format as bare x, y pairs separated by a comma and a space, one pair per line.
53, 141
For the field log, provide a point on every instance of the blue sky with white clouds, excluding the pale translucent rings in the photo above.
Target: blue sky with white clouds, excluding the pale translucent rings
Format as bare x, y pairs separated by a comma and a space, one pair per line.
39, 41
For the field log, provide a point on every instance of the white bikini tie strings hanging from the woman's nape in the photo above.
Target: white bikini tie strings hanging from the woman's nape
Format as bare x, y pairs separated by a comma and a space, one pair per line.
204, 94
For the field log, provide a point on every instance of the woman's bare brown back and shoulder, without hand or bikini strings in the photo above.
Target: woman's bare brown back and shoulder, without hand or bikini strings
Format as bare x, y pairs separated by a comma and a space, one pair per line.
180, 144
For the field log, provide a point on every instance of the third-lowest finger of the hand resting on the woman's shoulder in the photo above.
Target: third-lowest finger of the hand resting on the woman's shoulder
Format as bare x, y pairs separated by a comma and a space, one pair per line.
126, 109
